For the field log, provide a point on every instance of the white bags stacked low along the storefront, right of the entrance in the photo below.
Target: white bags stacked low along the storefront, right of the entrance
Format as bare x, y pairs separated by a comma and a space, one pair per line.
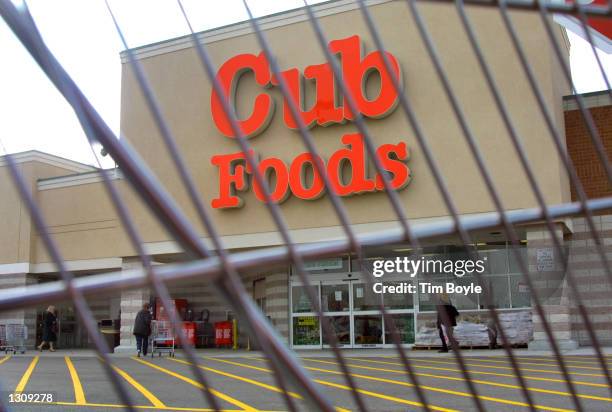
518, 327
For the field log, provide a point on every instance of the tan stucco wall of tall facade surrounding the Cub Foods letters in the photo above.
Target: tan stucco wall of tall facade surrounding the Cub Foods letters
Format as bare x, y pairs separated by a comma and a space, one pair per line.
184, 94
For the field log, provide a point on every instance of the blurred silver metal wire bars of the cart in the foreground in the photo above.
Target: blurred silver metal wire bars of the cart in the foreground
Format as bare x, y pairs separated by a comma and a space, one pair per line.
221, 268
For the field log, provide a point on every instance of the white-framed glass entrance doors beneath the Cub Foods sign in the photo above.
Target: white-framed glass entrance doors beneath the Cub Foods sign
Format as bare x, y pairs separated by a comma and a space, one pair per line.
353, 310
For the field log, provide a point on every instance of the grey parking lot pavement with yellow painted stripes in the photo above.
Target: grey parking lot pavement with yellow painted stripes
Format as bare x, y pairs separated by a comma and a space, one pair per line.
244, 381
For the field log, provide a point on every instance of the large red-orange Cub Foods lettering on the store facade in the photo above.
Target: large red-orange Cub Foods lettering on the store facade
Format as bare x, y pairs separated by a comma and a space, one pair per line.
290, 178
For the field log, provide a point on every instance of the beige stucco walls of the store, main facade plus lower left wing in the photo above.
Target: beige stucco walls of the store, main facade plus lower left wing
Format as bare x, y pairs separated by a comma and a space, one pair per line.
84, 223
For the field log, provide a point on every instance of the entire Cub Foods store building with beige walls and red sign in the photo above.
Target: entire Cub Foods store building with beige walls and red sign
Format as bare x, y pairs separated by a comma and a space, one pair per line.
91, 238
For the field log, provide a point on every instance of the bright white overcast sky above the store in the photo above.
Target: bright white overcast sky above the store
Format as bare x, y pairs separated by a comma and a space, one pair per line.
81, 34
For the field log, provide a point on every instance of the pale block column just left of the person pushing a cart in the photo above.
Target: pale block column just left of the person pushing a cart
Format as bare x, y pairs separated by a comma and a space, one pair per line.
131, 303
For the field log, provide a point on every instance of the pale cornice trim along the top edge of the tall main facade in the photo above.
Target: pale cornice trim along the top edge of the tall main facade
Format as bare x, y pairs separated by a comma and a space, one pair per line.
243, 28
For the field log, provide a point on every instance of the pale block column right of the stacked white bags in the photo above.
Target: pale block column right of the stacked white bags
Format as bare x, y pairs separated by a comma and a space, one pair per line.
550, 280
